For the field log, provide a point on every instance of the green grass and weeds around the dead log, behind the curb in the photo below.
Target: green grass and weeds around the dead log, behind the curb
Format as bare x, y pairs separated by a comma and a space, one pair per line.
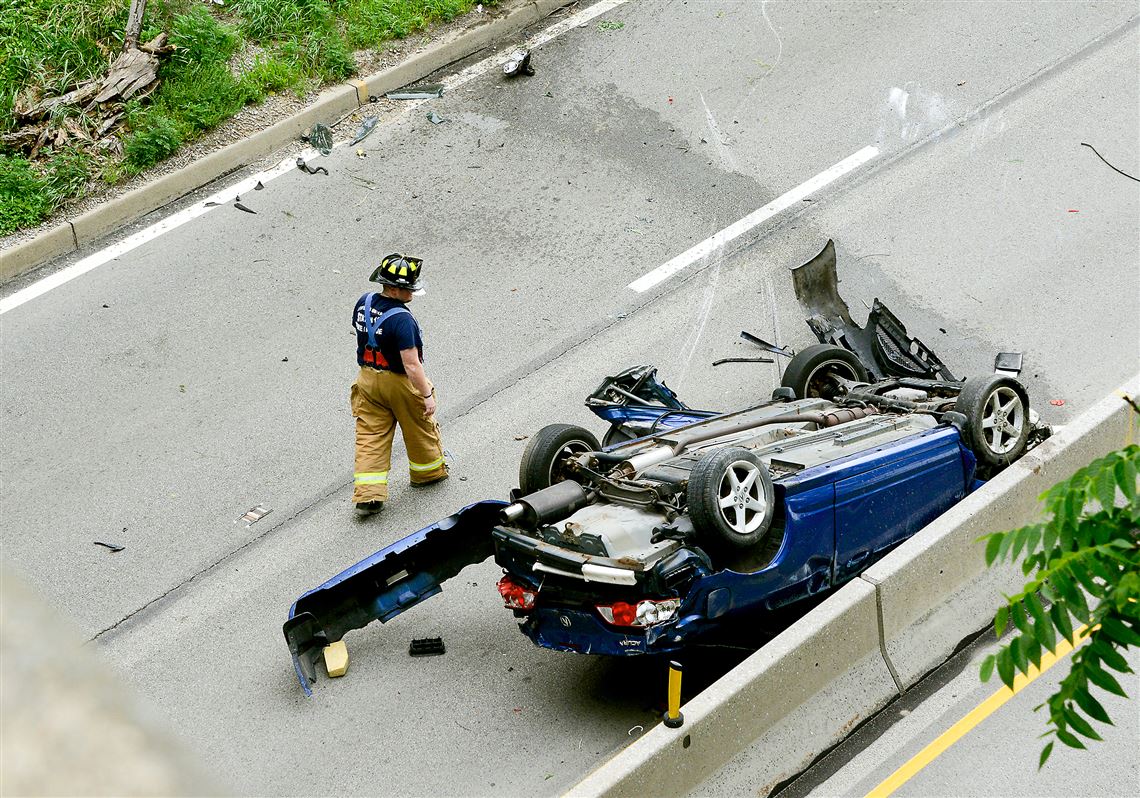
225, 58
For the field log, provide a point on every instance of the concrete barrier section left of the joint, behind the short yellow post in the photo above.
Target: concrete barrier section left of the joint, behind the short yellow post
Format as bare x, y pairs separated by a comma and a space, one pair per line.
796, 697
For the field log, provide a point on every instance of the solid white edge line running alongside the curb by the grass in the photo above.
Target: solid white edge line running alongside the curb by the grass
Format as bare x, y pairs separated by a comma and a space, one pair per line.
226, 196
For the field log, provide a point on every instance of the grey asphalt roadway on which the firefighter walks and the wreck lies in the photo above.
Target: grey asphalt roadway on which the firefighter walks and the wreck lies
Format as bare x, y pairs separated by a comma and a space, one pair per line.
151, 403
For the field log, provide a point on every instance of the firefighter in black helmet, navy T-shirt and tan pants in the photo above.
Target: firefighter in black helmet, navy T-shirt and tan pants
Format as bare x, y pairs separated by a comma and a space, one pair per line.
393, 387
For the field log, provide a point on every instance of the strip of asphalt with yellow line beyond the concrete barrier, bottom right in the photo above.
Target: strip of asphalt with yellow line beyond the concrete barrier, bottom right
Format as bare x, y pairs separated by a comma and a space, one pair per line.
997, 758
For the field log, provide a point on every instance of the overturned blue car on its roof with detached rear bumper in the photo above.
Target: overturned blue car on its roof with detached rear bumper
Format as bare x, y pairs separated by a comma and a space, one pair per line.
686, 522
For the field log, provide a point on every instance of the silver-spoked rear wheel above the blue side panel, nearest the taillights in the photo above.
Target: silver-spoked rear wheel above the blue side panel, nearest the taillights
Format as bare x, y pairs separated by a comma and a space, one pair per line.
716, 481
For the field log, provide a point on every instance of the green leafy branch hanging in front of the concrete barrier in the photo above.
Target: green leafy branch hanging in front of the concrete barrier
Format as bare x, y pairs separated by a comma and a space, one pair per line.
1086, 565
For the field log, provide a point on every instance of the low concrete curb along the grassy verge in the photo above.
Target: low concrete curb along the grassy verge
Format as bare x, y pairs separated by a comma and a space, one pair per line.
331, 104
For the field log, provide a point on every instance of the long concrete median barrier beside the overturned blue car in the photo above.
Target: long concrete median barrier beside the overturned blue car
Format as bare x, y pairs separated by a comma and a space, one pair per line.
773, 715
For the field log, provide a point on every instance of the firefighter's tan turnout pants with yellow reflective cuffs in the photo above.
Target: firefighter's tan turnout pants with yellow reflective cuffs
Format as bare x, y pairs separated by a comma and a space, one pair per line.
380, 402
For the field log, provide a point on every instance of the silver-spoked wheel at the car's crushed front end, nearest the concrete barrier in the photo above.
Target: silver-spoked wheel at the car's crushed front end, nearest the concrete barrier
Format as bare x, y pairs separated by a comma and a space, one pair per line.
997, 411
